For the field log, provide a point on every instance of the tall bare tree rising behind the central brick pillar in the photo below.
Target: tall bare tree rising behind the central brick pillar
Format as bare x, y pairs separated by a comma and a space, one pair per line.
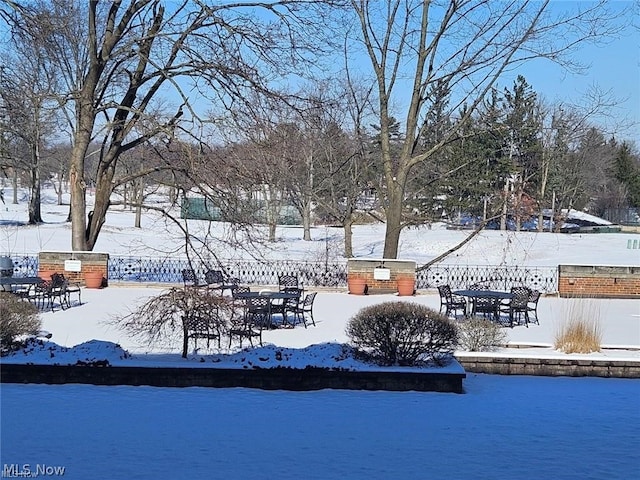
467, 45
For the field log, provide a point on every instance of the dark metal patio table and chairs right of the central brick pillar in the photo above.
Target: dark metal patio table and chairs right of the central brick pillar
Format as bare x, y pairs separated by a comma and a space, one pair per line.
517, 306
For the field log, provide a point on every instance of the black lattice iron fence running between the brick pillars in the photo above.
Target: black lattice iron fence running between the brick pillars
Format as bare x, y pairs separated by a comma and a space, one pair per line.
314, 274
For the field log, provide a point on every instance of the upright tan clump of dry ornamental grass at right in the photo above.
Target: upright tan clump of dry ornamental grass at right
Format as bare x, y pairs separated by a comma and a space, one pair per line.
580, 332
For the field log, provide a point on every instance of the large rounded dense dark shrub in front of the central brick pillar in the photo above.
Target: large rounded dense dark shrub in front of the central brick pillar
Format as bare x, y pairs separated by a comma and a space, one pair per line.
403, 333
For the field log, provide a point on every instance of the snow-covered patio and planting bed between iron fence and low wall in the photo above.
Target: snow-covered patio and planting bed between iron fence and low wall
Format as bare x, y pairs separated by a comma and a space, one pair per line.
307, 347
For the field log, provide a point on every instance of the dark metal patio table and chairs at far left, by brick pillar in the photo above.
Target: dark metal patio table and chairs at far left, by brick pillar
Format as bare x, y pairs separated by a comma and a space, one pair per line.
44, 293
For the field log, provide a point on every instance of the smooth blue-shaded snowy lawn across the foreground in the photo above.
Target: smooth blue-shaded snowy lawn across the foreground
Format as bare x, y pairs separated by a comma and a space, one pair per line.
531, 428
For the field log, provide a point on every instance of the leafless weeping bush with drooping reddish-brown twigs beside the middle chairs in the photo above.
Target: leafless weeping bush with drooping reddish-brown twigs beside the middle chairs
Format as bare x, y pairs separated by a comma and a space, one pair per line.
167, 315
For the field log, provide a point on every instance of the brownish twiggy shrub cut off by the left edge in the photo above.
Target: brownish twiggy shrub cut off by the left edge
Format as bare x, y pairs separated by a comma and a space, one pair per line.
17, 318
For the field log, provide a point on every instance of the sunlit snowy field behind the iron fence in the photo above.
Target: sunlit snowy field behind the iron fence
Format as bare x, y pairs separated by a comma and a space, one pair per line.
157, 237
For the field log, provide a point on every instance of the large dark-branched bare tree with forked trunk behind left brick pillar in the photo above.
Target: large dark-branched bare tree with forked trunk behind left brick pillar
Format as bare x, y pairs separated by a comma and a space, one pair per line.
128, 54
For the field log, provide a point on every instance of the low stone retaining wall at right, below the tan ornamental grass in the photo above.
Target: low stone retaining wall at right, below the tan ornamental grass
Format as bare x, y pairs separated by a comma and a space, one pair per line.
551, 367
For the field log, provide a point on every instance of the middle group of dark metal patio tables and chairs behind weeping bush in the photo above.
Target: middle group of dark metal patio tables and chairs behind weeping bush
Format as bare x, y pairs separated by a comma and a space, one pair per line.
251, 311
